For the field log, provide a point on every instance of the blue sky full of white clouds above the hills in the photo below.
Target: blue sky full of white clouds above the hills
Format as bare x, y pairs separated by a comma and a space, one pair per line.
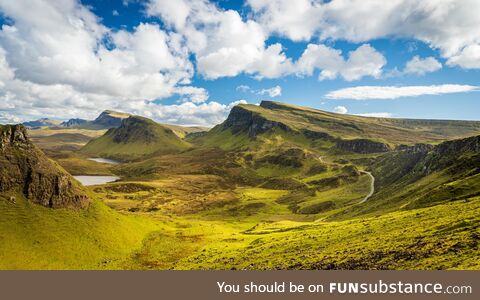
189, 61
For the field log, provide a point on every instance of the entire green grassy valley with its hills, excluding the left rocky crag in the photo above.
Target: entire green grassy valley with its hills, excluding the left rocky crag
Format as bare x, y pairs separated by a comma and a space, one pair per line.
275, 186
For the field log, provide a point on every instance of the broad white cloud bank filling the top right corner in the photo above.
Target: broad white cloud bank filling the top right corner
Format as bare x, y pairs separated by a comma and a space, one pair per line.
448, 25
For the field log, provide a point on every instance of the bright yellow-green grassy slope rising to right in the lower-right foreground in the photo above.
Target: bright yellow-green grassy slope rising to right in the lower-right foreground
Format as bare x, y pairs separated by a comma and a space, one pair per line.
440, 237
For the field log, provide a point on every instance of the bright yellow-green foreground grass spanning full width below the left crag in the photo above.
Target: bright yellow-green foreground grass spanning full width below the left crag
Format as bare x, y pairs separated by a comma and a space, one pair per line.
441, 237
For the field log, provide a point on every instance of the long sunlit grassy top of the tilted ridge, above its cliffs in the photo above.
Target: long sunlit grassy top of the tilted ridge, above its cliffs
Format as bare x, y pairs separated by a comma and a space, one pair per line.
349, 127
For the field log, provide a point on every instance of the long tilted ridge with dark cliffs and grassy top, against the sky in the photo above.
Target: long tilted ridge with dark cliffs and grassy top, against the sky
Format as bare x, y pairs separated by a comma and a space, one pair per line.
310, 123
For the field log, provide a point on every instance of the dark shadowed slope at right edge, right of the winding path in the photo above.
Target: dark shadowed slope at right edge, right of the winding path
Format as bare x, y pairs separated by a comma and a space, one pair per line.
408, 180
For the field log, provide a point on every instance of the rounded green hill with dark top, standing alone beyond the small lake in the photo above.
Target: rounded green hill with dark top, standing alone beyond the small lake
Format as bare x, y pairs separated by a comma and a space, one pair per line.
136, 137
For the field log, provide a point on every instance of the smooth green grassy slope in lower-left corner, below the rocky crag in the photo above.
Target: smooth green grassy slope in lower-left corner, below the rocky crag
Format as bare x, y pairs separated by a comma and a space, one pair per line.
34, 237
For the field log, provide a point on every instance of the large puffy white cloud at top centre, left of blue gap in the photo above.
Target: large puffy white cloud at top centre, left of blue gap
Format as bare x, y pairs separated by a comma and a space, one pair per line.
224, 44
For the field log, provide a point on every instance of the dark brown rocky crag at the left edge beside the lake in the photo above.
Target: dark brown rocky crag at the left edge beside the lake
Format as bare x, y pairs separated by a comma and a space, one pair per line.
26, 169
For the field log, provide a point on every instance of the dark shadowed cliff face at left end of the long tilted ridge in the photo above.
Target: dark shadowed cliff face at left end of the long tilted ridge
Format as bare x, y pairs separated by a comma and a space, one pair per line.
241, 119
